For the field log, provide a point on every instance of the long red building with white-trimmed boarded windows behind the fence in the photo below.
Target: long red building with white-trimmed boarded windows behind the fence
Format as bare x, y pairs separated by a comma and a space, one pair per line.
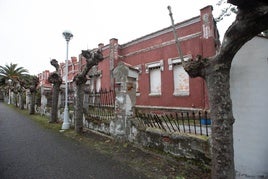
162, 81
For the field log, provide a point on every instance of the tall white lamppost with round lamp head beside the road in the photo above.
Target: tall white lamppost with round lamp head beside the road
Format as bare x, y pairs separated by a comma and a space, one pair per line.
66, 124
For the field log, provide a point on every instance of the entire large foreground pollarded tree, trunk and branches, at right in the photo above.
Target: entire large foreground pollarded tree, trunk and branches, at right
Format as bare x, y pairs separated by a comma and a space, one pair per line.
251, 19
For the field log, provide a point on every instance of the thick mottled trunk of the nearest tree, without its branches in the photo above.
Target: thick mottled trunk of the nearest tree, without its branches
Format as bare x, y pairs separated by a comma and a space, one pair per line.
222, 124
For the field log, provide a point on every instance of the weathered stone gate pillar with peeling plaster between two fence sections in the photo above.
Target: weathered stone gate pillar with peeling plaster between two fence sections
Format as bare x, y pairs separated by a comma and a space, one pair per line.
125, 89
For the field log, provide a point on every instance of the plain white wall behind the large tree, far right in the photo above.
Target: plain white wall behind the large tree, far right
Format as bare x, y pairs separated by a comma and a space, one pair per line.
249, 93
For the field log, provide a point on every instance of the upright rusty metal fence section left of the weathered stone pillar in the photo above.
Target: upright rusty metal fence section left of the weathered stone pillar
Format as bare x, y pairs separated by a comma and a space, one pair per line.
100, 105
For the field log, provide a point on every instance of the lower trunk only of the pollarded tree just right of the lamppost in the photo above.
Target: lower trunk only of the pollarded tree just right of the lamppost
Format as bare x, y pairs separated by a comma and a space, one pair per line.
79, 108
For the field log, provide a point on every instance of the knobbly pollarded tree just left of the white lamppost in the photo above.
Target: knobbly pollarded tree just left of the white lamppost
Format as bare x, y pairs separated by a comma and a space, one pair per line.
56, 80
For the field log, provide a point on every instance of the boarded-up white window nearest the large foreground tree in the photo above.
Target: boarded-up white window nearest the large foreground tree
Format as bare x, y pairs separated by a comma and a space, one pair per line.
180, 77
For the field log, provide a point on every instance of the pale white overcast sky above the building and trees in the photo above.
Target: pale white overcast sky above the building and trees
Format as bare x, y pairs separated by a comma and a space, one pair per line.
31, 30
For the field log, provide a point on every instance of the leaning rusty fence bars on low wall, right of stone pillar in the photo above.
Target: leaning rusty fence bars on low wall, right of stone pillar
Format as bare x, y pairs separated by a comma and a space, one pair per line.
193, 122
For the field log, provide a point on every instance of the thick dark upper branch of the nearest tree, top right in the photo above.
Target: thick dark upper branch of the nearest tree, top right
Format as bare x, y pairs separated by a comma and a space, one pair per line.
250, 21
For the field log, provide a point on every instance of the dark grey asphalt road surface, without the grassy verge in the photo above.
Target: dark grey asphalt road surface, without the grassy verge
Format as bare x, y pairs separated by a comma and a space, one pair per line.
29, 151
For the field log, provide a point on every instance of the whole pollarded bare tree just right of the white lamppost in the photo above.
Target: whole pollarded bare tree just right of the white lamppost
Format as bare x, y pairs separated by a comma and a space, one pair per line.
92, 59
